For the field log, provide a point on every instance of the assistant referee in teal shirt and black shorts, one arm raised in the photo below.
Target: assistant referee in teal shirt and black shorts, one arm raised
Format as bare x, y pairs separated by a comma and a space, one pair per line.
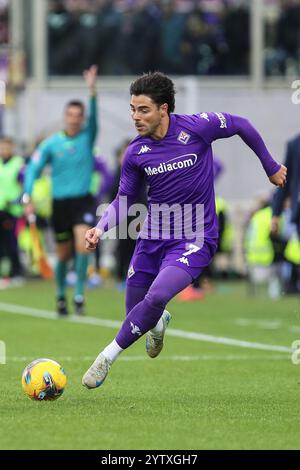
70, 155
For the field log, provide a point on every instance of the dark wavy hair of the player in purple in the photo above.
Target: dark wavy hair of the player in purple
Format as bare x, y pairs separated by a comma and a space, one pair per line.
157, 86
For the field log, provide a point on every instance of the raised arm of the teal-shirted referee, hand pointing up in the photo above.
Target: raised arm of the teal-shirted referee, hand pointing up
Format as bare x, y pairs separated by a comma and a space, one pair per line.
90, 77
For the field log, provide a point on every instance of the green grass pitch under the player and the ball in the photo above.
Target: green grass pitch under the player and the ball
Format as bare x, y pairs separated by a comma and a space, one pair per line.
225, 398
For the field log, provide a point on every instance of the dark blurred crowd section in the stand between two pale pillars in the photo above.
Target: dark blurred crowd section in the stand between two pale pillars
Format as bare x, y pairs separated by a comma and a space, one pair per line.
126, 37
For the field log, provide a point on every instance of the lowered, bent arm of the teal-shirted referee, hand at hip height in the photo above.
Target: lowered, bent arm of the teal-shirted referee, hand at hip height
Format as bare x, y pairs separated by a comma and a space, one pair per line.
40, 158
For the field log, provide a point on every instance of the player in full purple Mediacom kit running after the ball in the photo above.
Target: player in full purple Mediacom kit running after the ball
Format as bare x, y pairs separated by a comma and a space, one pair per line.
173, 152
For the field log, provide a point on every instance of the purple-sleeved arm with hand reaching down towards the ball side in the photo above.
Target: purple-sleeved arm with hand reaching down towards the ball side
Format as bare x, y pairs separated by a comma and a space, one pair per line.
130, 184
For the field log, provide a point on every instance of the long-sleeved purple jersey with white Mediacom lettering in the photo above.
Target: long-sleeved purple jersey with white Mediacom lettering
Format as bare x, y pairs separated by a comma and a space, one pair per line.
179, 168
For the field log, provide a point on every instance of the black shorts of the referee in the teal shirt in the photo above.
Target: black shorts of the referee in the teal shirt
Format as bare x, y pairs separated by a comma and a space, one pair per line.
70, 212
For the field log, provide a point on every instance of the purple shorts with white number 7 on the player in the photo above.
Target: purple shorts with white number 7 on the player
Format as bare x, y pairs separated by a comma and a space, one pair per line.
151, 256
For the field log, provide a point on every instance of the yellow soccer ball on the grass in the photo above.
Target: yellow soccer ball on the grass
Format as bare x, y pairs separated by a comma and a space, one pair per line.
44, 379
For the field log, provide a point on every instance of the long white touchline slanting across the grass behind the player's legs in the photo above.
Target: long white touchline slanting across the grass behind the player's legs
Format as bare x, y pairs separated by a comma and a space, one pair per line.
33, 312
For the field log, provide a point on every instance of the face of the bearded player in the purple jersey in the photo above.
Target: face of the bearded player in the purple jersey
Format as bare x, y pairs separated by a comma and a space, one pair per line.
146, 114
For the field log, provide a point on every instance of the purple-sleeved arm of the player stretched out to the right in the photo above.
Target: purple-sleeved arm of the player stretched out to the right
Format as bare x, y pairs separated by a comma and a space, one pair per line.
223, 125
